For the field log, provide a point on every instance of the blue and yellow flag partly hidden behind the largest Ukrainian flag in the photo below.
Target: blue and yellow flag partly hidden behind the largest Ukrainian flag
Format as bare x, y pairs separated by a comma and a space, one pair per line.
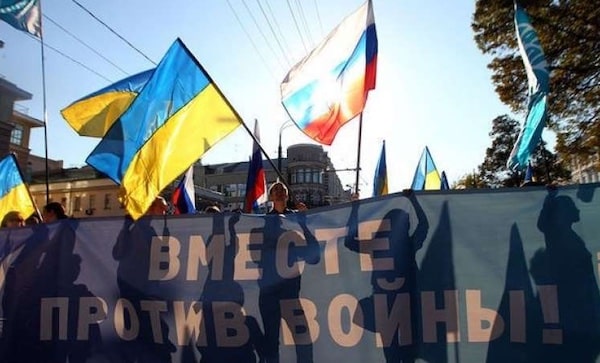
95, 113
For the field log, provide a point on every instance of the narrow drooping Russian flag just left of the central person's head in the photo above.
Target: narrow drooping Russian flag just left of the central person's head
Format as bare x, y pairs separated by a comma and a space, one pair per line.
256, 184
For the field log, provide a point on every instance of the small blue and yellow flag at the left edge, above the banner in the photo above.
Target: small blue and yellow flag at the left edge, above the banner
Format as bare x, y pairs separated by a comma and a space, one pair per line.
14, 195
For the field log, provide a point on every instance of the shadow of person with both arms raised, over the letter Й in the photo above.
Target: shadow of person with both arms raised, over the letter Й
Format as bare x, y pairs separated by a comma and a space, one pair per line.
392, 309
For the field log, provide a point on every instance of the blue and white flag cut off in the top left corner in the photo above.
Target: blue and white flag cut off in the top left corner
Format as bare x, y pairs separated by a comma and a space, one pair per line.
24, 15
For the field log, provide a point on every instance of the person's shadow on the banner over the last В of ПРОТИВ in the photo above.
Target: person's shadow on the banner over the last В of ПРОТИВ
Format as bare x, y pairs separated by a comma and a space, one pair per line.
223, 300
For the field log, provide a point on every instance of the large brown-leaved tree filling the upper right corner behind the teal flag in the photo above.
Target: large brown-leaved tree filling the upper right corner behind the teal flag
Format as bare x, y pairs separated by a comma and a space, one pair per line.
569, 32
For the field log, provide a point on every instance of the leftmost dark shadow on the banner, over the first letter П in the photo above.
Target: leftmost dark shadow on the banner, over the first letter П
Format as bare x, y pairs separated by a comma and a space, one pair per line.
46, 268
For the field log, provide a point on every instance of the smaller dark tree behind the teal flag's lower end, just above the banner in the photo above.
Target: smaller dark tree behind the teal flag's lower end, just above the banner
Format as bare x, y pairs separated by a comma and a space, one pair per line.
493, 171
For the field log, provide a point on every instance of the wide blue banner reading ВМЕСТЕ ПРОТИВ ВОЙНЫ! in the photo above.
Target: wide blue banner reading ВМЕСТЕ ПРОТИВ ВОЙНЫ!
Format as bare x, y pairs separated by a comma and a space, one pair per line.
464, 276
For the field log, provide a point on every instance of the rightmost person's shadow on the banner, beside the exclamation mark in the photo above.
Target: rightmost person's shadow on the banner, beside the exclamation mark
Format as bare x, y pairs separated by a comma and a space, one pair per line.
569, 275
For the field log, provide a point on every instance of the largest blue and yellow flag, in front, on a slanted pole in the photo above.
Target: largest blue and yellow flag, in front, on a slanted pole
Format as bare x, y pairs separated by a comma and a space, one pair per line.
175, 119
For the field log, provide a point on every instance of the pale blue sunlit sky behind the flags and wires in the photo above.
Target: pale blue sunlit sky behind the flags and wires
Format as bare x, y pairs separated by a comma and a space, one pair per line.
433, 86
